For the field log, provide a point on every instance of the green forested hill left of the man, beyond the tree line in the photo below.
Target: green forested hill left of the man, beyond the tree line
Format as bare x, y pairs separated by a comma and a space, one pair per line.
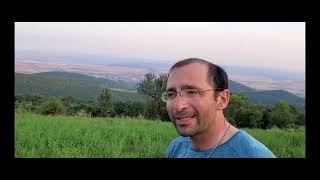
35, 84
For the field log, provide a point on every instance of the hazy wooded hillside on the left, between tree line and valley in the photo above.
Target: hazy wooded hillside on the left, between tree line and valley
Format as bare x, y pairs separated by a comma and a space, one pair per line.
78, 86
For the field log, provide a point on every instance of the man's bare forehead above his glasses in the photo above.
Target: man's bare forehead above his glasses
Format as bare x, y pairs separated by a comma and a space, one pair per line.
194, 74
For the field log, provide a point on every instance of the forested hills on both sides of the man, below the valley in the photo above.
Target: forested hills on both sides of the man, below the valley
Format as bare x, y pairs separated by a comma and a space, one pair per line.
87, 88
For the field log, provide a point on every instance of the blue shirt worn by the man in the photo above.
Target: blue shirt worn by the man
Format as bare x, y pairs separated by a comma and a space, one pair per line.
240, 145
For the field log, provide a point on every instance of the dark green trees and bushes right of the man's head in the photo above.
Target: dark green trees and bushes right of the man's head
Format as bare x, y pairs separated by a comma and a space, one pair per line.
241, 113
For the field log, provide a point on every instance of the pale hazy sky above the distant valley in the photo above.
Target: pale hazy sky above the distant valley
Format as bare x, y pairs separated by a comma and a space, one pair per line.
279, 45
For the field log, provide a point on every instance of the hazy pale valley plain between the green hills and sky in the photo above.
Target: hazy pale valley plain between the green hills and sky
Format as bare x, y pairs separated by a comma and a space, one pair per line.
128, 71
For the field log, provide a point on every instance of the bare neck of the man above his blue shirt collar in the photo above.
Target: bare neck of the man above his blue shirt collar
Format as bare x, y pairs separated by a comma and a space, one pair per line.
212, 135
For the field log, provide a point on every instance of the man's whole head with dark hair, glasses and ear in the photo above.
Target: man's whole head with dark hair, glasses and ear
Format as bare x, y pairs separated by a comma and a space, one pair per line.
203, 87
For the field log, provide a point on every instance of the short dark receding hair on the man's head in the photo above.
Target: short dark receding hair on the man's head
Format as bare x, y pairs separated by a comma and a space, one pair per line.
217, 77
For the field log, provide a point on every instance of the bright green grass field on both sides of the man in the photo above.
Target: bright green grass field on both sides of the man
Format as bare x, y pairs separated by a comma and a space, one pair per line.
45, 136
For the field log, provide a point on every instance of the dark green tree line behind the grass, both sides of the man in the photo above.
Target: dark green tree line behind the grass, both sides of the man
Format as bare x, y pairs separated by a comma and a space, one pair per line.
240, 112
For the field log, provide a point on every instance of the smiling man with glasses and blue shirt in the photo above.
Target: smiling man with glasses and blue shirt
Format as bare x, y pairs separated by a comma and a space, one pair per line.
196, 95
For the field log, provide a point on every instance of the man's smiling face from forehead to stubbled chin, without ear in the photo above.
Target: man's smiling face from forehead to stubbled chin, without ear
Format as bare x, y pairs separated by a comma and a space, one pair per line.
191, 116
